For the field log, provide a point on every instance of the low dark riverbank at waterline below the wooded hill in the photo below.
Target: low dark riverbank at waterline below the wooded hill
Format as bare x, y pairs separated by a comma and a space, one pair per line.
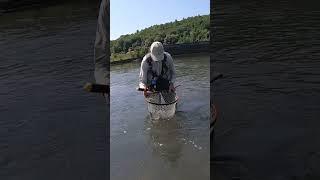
175, 50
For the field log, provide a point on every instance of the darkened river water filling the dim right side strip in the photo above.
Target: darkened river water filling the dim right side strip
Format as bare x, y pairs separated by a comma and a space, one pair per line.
269, 98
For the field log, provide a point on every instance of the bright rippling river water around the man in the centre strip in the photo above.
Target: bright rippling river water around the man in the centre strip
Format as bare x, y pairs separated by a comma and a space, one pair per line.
176, 149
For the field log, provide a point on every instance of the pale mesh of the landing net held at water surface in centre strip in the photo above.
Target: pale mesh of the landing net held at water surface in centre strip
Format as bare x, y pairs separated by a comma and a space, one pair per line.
162, 105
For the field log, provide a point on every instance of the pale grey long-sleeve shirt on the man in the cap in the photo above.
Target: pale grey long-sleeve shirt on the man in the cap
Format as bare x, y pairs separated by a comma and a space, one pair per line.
146, 77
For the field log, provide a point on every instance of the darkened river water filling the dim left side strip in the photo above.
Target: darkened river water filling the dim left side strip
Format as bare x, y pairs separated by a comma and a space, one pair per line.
50, 128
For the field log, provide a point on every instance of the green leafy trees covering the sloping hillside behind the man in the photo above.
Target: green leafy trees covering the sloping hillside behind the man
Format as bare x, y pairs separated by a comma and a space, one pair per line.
189, 30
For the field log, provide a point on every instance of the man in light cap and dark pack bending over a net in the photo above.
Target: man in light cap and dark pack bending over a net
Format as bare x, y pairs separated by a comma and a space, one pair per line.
157, 71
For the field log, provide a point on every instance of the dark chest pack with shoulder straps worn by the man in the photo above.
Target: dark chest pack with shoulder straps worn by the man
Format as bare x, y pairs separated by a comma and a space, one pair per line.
161, 82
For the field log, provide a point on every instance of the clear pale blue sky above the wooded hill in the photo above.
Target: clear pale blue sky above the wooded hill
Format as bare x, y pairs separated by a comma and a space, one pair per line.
127, 16
